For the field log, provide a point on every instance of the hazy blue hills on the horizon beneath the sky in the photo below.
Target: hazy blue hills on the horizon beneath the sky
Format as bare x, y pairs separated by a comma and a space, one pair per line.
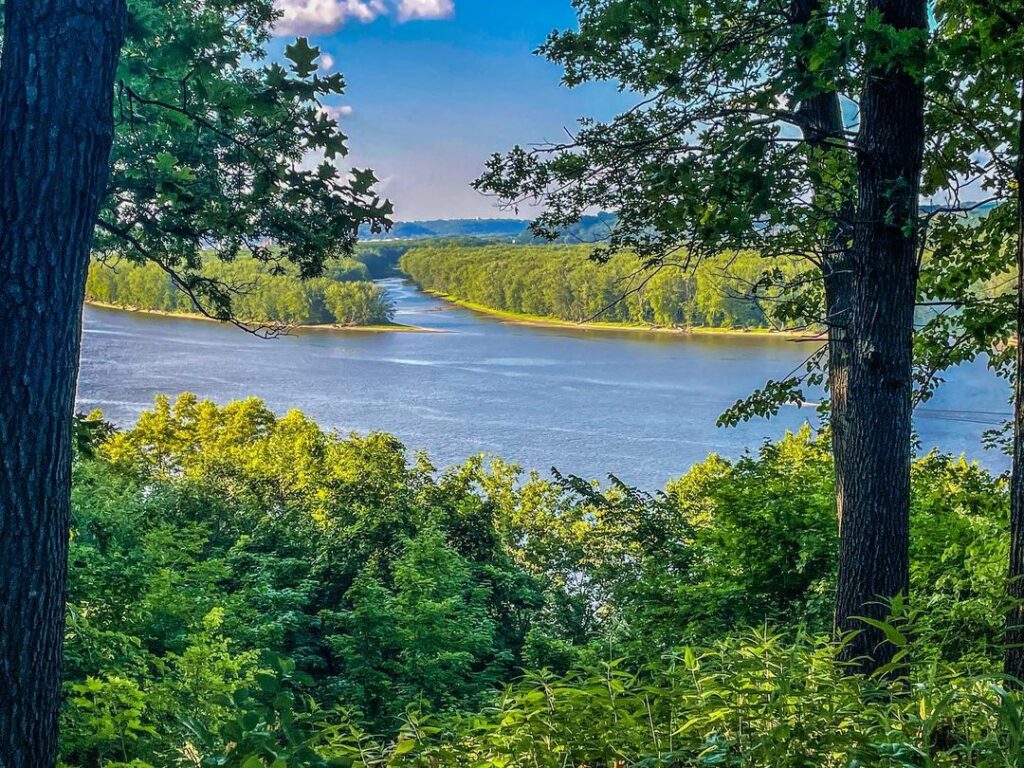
590, 230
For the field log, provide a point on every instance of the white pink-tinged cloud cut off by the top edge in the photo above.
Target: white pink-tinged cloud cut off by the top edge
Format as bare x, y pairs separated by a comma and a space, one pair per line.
322, 17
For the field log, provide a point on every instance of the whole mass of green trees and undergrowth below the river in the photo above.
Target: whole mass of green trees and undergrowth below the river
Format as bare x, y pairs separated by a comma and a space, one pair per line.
246, 587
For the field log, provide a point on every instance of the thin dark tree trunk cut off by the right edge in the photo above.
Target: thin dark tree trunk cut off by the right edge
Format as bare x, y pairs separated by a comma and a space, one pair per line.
1014, 662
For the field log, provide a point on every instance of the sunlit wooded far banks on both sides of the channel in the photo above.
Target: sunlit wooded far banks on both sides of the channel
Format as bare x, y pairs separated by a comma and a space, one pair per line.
548, 286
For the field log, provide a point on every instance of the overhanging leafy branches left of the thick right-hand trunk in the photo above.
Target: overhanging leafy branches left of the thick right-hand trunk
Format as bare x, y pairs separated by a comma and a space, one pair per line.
719, 154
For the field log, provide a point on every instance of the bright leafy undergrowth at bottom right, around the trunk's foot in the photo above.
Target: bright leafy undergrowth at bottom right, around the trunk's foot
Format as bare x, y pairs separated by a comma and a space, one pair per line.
762, 699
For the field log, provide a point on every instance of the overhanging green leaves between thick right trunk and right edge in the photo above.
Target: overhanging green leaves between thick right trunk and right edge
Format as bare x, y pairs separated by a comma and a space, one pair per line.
978, 119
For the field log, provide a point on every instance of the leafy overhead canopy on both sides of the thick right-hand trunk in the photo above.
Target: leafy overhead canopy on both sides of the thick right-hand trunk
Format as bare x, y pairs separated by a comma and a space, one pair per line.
744, 137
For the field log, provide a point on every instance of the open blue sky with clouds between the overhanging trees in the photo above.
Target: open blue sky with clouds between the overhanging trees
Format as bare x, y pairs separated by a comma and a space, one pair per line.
437, 87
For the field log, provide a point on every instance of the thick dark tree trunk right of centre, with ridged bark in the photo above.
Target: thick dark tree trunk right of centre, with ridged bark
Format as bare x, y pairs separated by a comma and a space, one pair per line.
875, 498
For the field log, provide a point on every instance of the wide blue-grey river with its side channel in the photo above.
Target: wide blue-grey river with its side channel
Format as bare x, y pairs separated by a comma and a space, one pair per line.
641, 406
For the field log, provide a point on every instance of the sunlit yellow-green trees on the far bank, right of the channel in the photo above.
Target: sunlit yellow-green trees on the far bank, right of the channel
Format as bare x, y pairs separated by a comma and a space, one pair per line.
563, 283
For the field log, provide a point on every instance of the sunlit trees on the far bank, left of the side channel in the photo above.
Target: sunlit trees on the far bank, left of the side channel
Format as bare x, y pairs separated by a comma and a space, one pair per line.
344, 296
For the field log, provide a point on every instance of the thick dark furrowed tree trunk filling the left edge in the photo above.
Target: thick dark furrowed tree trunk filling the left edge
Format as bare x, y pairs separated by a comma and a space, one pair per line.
57, 86
